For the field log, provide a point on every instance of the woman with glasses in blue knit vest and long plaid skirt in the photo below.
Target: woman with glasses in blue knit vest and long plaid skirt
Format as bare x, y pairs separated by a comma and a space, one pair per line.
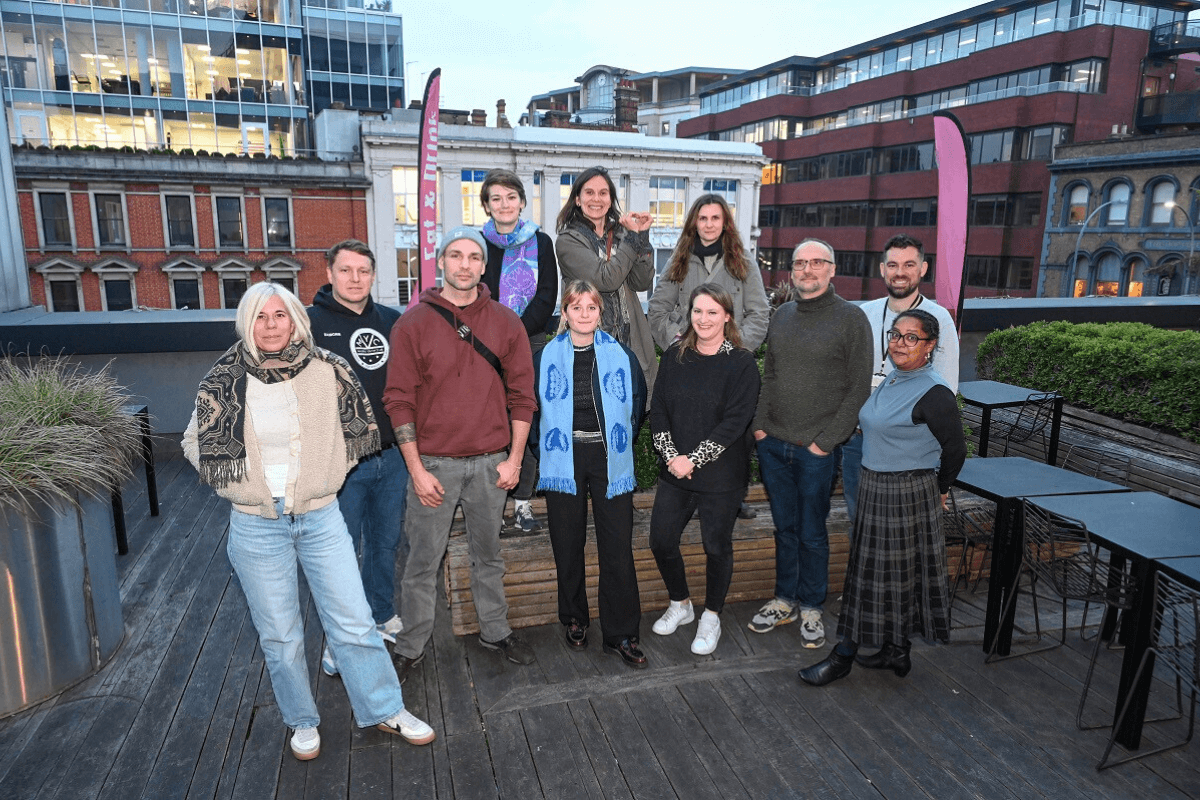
913, 452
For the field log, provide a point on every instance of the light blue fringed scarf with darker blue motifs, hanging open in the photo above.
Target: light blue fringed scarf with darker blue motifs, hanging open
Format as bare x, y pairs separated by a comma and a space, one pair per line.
556, 396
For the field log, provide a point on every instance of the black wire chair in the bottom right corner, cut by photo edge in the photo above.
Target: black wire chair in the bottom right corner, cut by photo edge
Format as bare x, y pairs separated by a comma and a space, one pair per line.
1173, 647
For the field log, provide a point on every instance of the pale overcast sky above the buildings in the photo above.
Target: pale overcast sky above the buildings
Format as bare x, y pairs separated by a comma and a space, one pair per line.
489, 52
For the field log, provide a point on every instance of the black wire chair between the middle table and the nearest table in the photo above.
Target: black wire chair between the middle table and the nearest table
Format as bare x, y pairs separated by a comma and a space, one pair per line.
1061, 551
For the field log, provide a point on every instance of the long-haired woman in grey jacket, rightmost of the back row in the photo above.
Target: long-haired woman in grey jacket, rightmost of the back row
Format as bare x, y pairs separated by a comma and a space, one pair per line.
710, 251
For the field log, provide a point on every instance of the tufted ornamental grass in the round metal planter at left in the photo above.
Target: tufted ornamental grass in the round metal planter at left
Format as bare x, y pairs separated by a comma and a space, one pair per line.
63, 432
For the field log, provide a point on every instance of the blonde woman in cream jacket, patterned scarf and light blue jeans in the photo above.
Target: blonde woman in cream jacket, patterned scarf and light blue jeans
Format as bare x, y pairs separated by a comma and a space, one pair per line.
278, 425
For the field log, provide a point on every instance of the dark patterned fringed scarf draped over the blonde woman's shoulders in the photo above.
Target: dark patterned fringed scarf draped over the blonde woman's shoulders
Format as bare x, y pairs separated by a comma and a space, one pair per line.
221, 407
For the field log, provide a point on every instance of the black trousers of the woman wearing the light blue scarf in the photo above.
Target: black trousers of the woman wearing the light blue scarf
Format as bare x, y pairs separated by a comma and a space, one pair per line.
621, 606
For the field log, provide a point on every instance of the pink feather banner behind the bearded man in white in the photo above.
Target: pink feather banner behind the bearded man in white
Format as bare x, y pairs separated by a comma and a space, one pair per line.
953, 197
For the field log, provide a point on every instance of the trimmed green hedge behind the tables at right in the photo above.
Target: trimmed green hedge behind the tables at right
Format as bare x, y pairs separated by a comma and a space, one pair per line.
1129, 371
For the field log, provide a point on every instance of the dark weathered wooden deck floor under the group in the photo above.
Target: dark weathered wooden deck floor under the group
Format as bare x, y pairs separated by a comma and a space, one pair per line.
185, 711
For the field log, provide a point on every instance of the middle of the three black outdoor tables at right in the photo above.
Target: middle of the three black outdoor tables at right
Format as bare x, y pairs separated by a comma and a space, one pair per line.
1005, 482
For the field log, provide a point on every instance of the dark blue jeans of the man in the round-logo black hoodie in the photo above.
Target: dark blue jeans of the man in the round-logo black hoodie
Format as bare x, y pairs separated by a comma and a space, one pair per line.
373, 502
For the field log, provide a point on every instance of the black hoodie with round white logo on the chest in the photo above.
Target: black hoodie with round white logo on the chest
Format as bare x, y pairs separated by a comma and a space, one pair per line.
363, 340
